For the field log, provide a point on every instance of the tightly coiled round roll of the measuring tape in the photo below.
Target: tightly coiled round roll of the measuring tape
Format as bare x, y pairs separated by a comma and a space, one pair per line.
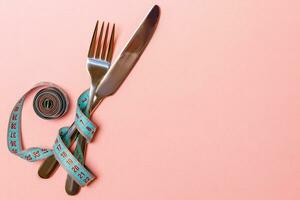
50, 103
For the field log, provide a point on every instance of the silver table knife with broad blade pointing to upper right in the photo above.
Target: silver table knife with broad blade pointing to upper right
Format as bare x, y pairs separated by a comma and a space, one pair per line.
117, 73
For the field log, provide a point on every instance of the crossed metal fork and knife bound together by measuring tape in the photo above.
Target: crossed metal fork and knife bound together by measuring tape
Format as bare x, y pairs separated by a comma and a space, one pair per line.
105, 80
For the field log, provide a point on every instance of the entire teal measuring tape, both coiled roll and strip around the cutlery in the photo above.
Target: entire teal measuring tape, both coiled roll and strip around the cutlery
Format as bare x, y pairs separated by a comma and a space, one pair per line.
73, 165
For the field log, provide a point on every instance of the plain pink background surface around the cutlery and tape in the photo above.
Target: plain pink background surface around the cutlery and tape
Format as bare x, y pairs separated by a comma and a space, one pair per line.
211, 111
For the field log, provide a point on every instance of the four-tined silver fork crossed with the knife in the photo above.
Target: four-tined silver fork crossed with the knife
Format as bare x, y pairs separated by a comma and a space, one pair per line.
99, 60
